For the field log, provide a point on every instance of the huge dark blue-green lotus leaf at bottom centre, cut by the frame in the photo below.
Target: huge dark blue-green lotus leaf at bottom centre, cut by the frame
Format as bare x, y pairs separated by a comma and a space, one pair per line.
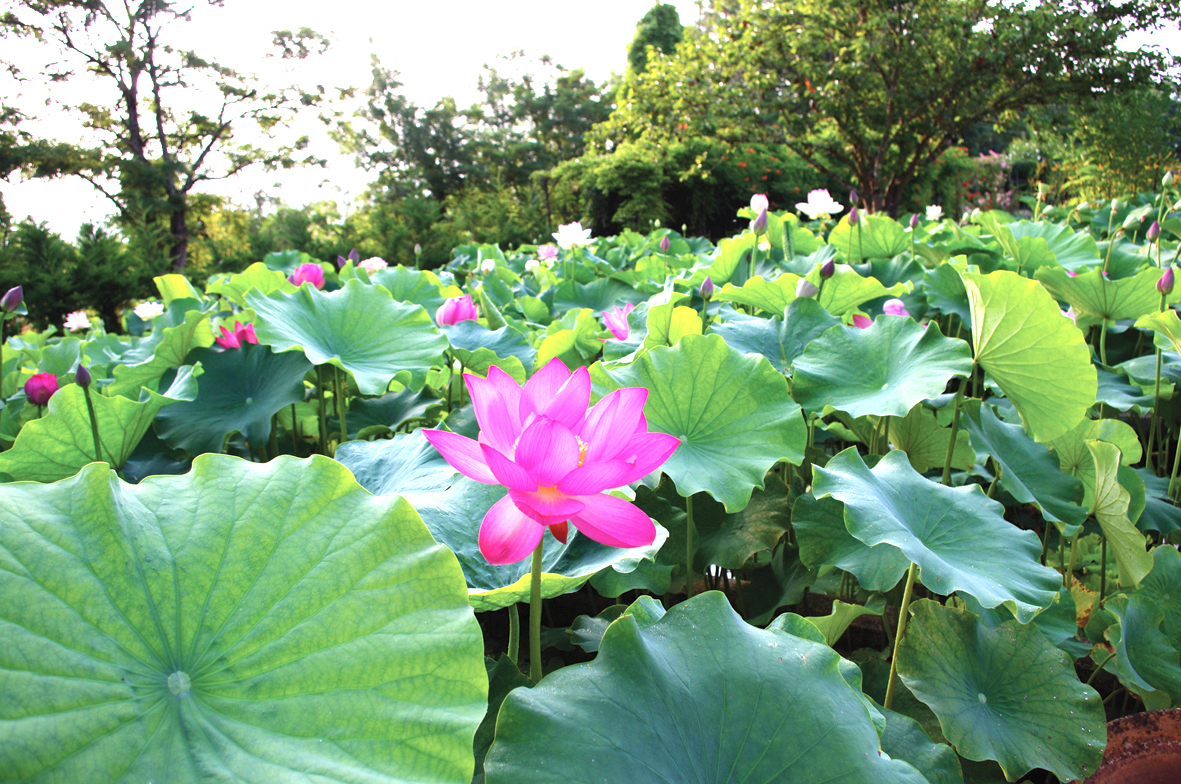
669, 703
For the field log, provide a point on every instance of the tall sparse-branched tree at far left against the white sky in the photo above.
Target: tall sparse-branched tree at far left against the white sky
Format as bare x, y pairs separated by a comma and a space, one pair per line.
173, 120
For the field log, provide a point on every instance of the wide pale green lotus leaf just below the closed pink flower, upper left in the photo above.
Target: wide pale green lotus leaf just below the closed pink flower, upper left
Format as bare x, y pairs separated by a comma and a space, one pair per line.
360, 329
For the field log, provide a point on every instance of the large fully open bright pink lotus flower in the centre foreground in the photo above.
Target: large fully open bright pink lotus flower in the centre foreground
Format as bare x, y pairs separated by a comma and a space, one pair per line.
557, 458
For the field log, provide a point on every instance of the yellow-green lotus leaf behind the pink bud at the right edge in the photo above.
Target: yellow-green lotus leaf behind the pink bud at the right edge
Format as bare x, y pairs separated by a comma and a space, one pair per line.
1093, 295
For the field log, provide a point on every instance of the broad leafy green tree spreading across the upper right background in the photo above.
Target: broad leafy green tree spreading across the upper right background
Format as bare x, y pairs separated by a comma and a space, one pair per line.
871, 93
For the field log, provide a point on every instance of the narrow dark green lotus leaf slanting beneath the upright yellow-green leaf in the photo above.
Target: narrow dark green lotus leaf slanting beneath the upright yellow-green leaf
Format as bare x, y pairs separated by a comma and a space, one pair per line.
1029, 472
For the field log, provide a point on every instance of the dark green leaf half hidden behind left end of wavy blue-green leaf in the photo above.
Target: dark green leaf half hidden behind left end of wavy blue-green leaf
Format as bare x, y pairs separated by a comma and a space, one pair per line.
826, 541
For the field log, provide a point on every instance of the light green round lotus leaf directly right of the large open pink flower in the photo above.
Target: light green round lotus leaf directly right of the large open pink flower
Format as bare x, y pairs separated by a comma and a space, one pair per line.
732, 411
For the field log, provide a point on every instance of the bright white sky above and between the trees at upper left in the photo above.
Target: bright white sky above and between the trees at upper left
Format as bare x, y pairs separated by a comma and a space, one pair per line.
439, 49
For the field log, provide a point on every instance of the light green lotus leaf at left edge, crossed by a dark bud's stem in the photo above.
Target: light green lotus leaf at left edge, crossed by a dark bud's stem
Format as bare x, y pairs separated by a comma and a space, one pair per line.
58, 445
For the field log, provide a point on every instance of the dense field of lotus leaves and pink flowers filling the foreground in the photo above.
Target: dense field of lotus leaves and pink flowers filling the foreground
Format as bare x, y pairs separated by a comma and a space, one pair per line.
902, 507
